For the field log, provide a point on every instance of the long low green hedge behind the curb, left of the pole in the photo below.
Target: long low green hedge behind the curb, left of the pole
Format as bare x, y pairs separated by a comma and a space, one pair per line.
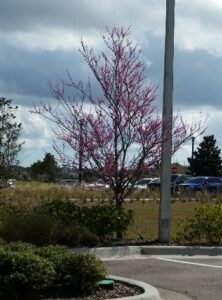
62, 222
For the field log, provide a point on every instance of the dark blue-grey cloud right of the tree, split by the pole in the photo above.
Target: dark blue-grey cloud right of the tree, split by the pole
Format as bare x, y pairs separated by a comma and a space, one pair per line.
197, 74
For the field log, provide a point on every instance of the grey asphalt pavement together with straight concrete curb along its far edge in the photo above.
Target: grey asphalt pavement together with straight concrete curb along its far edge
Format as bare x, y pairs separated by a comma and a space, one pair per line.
178, 273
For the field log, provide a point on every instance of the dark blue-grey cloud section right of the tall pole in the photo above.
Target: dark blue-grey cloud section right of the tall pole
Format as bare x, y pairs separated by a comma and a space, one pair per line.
197, 79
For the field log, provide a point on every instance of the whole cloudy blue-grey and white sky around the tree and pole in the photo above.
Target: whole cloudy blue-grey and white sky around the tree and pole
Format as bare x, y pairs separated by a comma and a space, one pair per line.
39, 41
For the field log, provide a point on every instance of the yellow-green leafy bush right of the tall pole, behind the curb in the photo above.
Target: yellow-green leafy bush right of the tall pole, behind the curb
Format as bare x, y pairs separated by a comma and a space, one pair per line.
205, 226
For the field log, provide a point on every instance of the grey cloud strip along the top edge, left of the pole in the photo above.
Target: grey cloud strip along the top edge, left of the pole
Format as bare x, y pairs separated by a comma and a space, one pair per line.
23, 15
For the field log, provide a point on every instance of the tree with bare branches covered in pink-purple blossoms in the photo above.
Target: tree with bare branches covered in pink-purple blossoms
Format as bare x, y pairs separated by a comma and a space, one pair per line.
117, 134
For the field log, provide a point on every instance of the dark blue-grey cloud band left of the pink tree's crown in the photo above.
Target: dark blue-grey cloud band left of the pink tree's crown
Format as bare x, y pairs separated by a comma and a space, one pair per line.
28, 73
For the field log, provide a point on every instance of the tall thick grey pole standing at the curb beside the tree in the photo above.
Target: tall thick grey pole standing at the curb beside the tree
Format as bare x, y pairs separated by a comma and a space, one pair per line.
165, 191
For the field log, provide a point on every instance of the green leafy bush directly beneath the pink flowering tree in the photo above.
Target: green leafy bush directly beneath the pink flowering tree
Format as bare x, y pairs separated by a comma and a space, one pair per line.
90, 222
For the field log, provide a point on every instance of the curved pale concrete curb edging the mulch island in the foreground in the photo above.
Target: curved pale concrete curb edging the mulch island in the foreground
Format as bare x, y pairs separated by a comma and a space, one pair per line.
150, 292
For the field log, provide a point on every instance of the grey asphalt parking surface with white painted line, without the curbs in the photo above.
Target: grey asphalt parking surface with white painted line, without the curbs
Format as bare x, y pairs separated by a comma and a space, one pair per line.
199, 277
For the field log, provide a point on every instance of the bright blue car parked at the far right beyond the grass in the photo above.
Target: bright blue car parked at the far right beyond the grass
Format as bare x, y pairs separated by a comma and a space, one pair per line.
210, 184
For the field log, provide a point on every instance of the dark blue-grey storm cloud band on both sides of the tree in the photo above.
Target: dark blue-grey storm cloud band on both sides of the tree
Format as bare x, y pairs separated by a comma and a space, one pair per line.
197, 77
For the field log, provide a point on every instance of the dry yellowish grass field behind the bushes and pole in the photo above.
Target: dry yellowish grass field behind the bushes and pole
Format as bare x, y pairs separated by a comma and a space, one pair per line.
146, 212
